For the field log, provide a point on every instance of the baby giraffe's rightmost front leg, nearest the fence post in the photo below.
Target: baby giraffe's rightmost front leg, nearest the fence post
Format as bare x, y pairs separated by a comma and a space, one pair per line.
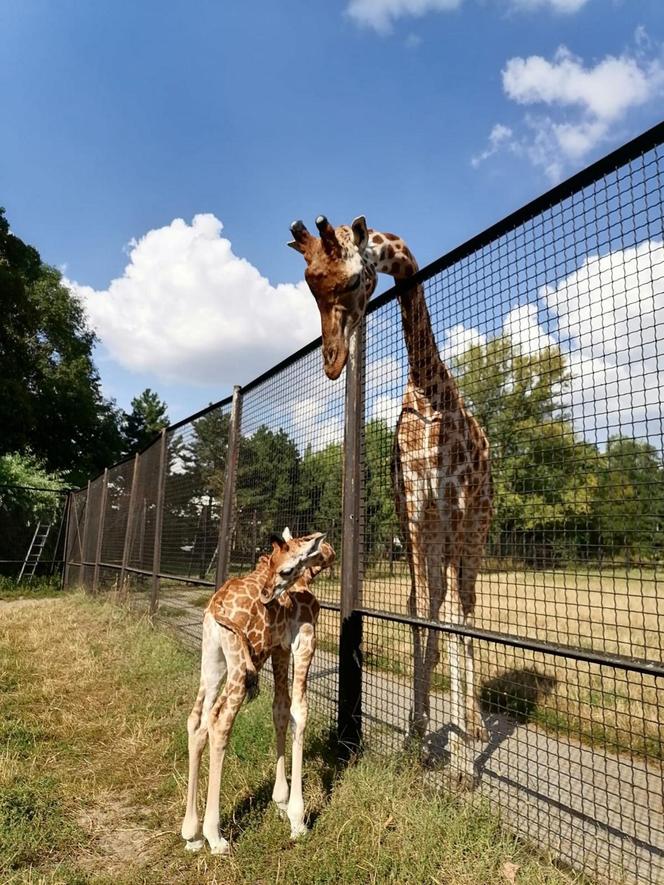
303, 648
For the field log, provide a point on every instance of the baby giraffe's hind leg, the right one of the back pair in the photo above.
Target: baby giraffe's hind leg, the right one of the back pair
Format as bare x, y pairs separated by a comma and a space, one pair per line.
222, 717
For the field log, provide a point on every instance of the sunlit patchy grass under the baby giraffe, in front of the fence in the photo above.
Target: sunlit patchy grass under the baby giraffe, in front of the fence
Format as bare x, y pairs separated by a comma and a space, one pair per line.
93, 766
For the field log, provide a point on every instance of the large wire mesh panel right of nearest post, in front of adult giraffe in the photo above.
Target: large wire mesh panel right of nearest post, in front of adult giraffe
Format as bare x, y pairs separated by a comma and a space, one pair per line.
548, 336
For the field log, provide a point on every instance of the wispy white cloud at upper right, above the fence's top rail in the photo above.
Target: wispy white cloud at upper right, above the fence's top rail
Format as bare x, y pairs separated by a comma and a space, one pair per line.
584, 103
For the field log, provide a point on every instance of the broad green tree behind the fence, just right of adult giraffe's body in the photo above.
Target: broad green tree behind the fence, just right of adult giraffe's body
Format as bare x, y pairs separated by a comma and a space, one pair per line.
544, 476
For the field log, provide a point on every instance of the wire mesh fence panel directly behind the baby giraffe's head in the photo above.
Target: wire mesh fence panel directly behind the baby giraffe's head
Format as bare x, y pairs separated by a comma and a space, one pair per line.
289, 474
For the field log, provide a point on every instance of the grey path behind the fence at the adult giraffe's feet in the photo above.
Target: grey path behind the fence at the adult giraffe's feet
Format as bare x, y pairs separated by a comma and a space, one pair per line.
599, 813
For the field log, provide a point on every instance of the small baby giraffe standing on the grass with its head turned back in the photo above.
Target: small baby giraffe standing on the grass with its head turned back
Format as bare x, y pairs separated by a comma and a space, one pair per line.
269, 612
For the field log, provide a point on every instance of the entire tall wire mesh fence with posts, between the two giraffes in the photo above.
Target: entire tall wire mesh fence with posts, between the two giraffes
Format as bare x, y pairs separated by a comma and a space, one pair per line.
550, 321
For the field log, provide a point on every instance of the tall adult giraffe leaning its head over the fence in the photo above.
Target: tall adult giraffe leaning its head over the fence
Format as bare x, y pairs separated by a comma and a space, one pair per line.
441, 465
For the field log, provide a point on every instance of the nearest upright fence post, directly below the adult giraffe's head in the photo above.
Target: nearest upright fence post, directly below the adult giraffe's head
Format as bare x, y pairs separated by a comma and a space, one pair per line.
349, 712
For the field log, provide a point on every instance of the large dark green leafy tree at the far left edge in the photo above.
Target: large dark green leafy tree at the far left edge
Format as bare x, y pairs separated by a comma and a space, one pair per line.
50, 396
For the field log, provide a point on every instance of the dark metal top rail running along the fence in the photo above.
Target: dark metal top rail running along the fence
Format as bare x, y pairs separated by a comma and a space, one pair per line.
628, 152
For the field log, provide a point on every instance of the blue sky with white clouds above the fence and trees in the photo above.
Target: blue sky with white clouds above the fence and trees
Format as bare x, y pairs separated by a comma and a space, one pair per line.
432, 117
